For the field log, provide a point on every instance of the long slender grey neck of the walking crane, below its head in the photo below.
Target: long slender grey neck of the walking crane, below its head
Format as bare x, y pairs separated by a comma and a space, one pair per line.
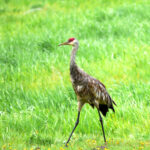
73, 65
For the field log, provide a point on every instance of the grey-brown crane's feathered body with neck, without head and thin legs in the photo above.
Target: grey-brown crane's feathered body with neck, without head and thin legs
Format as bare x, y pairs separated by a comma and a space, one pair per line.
88, 89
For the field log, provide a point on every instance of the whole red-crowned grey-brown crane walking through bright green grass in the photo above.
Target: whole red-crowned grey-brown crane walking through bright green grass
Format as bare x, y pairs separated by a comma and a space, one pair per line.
88, 89
